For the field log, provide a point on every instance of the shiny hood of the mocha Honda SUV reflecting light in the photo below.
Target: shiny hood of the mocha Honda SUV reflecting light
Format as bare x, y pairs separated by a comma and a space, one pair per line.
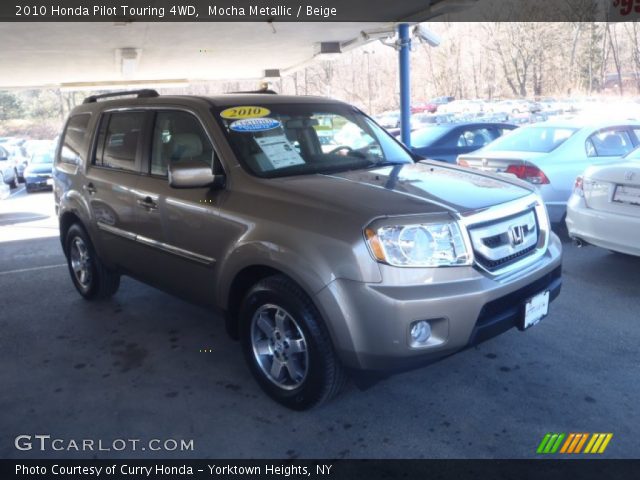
425, 187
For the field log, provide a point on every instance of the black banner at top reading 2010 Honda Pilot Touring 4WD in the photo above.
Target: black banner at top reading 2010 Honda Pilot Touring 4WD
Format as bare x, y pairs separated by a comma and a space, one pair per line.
317, 10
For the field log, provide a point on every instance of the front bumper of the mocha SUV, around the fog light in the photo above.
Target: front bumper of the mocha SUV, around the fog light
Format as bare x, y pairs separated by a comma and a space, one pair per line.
370, 323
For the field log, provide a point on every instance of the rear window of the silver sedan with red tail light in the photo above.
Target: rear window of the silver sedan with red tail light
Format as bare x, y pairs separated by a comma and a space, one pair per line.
541, 139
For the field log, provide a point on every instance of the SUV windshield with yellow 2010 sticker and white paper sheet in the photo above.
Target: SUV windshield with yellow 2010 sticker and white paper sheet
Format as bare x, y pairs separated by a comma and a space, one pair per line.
281, 140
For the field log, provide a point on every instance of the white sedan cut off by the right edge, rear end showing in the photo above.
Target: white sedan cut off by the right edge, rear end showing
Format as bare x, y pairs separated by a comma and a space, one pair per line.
604, 209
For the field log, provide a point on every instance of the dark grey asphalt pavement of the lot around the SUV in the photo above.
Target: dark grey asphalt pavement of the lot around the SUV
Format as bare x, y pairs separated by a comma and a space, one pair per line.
145, 365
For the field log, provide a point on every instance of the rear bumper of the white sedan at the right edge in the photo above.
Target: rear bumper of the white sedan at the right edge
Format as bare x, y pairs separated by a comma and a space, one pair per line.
612, 231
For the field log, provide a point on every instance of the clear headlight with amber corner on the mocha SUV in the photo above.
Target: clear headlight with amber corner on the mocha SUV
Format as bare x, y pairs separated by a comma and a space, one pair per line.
421, 245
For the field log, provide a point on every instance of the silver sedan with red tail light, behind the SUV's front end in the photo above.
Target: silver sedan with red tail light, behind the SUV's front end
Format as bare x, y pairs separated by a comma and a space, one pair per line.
550, 155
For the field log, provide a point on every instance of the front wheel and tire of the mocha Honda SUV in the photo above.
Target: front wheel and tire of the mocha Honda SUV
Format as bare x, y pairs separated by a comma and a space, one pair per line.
287, 346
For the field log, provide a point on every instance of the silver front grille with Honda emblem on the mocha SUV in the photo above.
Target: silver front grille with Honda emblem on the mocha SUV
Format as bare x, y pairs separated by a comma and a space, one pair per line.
505, 241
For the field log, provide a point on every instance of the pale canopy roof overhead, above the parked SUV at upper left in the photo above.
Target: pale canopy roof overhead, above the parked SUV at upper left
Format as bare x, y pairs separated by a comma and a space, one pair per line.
77, 55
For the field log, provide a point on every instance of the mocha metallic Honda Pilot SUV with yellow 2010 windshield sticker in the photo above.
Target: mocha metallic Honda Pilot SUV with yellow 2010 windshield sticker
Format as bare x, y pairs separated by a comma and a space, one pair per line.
328, 247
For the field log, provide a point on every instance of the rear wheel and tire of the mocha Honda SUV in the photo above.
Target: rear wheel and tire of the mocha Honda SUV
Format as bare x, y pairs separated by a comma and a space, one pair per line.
92, 279
